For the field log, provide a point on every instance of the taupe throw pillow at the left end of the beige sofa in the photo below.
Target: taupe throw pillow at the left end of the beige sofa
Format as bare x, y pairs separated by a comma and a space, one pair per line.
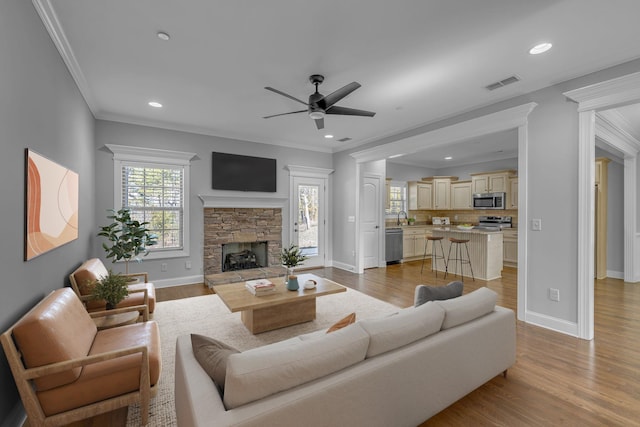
212, 355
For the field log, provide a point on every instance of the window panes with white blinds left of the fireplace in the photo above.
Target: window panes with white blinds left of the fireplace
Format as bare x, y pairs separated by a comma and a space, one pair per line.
155, 194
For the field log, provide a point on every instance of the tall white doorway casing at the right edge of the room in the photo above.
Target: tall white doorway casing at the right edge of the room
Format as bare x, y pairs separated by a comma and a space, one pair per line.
601, 96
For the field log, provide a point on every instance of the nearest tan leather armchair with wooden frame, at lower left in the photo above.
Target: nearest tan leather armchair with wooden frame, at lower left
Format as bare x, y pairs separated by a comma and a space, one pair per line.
66, 370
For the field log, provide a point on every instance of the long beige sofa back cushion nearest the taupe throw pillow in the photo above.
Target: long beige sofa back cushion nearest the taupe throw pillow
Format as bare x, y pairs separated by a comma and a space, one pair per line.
252, 375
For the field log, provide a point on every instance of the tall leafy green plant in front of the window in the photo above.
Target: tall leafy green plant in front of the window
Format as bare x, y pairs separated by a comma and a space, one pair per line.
128, 238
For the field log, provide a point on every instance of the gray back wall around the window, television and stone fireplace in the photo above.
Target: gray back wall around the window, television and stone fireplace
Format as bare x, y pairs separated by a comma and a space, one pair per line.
142, 136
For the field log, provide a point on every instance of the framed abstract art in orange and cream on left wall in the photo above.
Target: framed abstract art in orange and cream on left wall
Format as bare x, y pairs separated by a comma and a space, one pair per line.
51, 205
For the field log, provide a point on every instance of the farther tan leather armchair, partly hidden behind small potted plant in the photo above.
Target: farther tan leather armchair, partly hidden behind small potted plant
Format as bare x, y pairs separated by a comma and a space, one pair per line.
93, 269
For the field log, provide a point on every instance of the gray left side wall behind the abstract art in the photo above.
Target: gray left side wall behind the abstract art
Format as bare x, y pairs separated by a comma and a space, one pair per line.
40, 109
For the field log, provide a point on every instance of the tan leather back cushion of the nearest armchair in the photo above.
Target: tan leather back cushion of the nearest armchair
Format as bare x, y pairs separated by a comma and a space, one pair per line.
57, 329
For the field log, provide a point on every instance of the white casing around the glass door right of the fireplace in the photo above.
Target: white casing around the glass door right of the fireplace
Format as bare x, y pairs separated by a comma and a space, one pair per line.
322, 174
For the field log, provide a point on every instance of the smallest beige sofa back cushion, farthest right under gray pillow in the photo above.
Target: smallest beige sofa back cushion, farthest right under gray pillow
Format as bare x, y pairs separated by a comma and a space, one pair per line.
468, 307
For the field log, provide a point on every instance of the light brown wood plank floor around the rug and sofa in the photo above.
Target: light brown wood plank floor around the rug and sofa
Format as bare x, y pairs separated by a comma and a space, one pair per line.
557, 380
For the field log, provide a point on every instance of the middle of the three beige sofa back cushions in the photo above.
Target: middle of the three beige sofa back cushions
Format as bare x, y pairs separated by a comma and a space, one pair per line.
390, 332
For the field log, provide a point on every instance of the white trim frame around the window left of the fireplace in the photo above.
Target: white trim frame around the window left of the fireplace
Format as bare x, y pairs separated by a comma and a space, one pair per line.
150, 157
